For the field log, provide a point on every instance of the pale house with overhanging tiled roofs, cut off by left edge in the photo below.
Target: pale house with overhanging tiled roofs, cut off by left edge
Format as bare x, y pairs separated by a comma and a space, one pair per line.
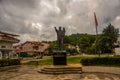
6, 44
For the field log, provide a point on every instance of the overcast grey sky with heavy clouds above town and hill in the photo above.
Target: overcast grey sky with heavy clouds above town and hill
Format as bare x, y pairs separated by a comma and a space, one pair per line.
36, 19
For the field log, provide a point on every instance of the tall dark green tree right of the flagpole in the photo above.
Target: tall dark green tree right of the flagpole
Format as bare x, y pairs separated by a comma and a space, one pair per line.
108, 38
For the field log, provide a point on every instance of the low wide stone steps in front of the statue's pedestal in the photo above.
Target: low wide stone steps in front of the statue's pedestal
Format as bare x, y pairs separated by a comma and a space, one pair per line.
61, 70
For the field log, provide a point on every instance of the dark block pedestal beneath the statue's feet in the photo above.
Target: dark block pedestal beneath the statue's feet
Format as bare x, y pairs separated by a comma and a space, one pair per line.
59, 57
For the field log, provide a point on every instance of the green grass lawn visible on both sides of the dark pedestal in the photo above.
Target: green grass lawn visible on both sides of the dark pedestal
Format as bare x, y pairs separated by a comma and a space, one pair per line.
70, 60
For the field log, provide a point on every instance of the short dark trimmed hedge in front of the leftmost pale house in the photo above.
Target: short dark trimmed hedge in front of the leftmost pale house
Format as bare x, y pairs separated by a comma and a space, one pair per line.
9, 62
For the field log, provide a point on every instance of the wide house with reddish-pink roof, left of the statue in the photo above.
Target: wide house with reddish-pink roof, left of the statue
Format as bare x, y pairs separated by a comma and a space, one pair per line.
31, 47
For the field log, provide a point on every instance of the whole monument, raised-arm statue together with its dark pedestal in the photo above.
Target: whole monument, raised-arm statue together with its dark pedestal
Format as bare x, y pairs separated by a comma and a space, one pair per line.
59, 56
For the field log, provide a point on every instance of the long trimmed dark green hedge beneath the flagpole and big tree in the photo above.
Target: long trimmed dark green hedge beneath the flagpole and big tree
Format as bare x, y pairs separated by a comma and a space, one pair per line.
107, 61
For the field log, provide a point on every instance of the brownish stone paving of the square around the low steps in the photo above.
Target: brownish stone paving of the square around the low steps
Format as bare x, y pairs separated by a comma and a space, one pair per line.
30, 73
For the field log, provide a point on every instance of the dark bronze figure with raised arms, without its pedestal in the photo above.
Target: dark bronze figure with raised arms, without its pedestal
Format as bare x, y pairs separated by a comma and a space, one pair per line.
60, 35
